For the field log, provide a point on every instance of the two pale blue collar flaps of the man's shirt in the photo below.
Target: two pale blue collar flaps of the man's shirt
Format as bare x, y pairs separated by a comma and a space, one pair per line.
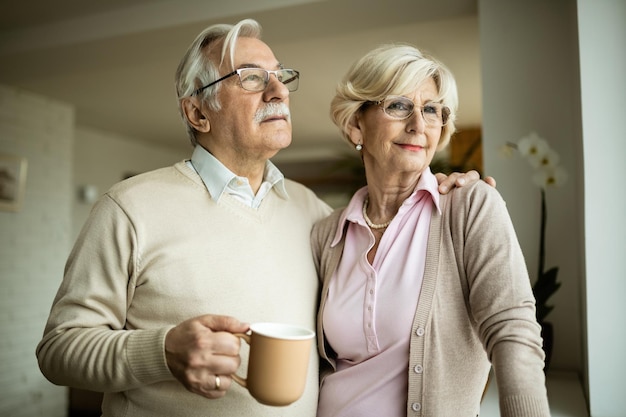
217, 177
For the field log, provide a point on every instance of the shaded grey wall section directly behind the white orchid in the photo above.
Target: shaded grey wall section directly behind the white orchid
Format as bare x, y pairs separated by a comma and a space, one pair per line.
530, 83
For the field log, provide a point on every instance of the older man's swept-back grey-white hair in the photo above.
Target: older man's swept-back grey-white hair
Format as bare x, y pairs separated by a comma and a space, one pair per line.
196, 69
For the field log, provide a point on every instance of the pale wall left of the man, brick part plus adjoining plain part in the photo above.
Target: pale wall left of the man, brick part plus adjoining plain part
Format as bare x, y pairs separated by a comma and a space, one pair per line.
35, 241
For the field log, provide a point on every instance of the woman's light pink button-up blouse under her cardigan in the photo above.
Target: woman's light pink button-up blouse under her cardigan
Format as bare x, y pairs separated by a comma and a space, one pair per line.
370, 308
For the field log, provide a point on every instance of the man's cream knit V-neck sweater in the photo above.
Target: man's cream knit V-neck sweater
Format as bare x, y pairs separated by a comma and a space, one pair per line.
157, 250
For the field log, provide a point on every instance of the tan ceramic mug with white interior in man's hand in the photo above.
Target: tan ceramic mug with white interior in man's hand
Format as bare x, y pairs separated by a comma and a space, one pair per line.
278, 362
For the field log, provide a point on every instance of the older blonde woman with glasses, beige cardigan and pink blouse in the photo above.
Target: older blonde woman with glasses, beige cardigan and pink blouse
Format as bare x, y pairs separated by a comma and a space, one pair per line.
422, 293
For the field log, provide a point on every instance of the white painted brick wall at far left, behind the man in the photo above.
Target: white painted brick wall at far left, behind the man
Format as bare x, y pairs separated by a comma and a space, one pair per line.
33, 245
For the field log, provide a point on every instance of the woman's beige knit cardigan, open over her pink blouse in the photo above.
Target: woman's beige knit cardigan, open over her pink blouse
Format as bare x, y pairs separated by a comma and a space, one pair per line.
476, 306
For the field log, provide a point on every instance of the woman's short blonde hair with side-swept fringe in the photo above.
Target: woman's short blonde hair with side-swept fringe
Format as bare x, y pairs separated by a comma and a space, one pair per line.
392, 69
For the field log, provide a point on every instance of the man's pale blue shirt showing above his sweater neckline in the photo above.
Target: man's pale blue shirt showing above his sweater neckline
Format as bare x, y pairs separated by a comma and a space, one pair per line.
219, 180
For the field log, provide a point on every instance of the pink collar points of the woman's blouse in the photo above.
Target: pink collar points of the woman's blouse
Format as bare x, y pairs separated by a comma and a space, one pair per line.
426, 185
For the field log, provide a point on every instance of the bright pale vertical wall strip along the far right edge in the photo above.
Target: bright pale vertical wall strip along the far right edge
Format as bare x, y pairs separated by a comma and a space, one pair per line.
602, 36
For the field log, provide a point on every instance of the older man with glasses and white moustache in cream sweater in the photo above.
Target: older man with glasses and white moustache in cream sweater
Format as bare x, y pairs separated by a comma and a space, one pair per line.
167, 259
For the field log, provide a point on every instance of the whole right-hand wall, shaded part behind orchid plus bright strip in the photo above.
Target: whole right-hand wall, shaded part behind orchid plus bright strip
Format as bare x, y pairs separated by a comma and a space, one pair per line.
558, 67
